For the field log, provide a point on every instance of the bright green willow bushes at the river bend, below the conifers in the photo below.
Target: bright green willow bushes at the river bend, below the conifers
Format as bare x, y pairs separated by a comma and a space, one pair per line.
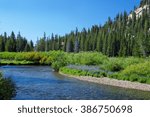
61, 59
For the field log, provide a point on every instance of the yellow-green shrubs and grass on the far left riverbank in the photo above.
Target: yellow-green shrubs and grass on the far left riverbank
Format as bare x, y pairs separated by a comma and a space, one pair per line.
25, 58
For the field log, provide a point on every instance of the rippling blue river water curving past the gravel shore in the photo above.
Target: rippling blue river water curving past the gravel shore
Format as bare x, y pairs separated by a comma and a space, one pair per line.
41, 83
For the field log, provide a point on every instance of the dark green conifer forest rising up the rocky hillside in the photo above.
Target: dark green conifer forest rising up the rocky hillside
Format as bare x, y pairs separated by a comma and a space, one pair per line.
121, 36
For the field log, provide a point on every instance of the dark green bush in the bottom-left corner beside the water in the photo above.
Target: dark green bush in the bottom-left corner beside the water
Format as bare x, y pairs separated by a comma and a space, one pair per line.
7, 88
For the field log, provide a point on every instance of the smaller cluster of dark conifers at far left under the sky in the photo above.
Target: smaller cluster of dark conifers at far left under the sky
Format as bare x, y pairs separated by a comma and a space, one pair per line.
14, 43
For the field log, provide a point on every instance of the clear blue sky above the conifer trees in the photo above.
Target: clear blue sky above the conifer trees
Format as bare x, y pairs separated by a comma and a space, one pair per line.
34, 17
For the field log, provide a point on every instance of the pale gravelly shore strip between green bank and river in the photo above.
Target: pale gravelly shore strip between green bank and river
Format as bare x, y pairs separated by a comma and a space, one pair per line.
113, 82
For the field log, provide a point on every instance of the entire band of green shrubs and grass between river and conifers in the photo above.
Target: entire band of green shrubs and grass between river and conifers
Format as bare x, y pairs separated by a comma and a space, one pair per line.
92, 64
